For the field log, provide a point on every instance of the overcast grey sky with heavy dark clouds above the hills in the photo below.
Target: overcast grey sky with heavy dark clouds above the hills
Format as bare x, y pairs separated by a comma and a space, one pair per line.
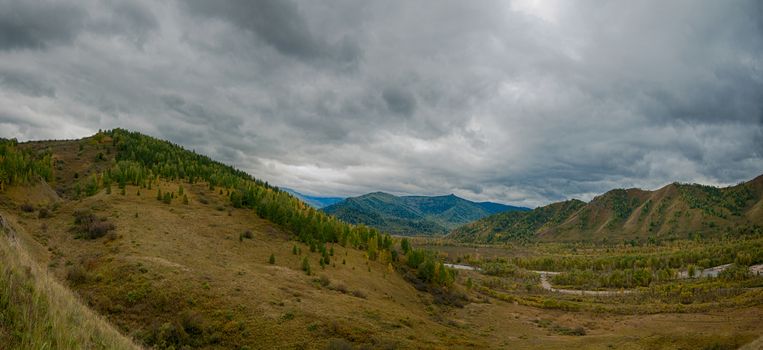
522, 102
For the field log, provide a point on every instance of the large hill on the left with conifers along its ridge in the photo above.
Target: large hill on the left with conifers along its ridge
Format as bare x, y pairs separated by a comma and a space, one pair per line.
178, 250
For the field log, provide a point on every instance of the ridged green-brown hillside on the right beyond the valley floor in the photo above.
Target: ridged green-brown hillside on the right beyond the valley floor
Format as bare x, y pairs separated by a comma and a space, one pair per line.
676, 211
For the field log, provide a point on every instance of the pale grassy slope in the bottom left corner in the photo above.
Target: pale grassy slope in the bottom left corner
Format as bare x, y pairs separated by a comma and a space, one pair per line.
36, 312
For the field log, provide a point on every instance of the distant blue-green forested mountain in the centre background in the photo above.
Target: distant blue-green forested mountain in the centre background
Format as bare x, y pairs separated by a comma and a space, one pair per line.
413, 215
